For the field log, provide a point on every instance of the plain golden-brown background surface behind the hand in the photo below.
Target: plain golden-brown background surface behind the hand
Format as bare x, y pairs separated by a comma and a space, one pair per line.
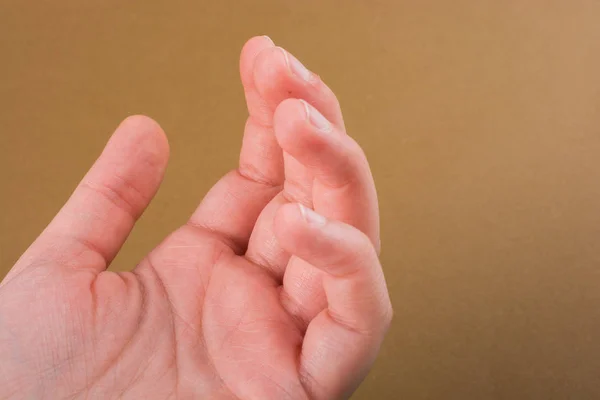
481, 119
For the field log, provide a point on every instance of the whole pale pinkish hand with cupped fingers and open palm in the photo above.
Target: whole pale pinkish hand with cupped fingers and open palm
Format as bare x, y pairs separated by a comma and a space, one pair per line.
272, 290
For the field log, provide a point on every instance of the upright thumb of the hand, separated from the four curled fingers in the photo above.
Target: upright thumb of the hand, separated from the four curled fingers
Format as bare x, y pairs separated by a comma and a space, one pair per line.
92, 226
